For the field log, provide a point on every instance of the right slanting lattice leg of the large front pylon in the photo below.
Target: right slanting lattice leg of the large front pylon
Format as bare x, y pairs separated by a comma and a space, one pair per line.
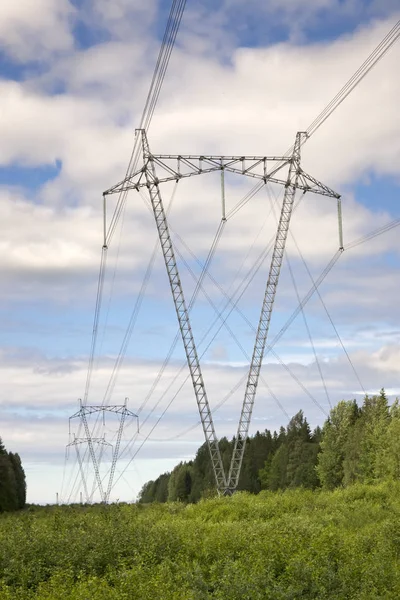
265, 316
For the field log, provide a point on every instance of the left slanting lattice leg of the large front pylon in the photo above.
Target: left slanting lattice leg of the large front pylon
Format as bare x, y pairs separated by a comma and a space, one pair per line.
182, 314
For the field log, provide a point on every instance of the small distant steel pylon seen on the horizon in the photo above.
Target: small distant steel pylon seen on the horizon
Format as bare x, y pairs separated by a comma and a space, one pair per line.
82, 413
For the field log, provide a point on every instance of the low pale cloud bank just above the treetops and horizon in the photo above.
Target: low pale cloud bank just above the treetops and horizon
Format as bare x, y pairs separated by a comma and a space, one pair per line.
39, 394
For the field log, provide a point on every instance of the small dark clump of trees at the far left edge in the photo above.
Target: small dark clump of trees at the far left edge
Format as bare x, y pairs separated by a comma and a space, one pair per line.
12, 481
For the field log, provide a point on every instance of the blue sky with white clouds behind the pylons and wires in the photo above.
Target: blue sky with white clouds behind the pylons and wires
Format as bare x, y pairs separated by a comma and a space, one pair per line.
243, 78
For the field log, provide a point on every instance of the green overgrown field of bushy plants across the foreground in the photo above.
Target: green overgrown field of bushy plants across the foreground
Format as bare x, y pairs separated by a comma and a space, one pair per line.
289, 545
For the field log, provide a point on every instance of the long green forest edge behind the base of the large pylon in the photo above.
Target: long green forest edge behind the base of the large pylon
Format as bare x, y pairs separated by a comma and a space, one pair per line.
355, 444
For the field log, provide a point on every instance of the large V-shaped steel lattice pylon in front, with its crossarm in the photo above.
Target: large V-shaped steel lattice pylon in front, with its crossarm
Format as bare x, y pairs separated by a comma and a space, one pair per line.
157, 169
